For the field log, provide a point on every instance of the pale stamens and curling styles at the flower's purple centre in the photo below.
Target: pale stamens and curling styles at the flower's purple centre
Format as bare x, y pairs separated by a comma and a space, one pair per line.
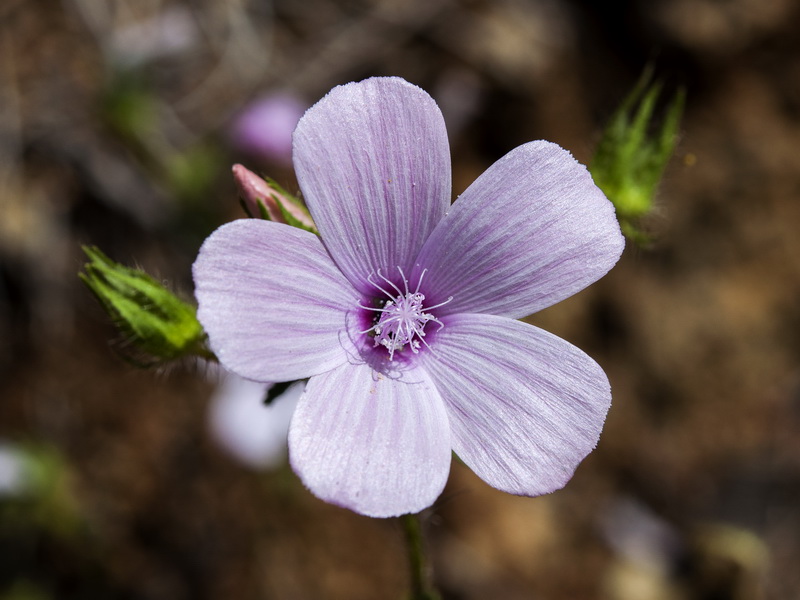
401, 316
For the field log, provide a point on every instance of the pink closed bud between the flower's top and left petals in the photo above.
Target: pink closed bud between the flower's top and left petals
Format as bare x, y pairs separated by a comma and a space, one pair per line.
260, 196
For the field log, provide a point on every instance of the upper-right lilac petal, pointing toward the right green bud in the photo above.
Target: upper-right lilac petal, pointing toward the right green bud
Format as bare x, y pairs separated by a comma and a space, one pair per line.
530, 232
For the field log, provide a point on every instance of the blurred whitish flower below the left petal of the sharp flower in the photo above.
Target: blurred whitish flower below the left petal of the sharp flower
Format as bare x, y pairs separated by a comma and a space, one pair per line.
241, 422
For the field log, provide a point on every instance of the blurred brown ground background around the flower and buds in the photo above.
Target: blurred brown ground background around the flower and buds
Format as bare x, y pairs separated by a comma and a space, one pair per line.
119, 122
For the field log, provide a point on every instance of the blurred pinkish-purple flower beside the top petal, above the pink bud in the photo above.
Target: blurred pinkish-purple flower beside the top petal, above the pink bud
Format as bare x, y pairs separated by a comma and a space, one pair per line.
264, 128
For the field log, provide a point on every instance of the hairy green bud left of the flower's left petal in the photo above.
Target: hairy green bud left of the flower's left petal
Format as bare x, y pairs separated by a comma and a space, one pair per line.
158, 323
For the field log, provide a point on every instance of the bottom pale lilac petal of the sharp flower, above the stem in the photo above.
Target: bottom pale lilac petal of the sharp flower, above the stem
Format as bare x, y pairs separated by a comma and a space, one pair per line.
371, 443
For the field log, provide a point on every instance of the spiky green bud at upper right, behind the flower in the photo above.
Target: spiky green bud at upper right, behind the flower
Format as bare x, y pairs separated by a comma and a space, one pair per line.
631, 155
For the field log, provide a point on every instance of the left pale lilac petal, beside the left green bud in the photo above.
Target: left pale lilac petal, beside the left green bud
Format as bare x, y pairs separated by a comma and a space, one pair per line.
272, 301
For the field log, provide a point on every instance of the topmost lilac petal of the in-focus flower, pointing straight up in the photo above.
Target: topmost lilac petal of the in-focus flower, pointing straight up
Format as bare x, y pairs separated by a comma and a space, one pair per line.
373, 163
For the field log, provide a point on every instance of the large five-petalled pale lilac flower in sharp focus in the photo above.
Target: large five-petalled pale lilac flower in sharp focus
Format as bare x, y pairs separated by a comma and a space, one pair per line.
403, 311
